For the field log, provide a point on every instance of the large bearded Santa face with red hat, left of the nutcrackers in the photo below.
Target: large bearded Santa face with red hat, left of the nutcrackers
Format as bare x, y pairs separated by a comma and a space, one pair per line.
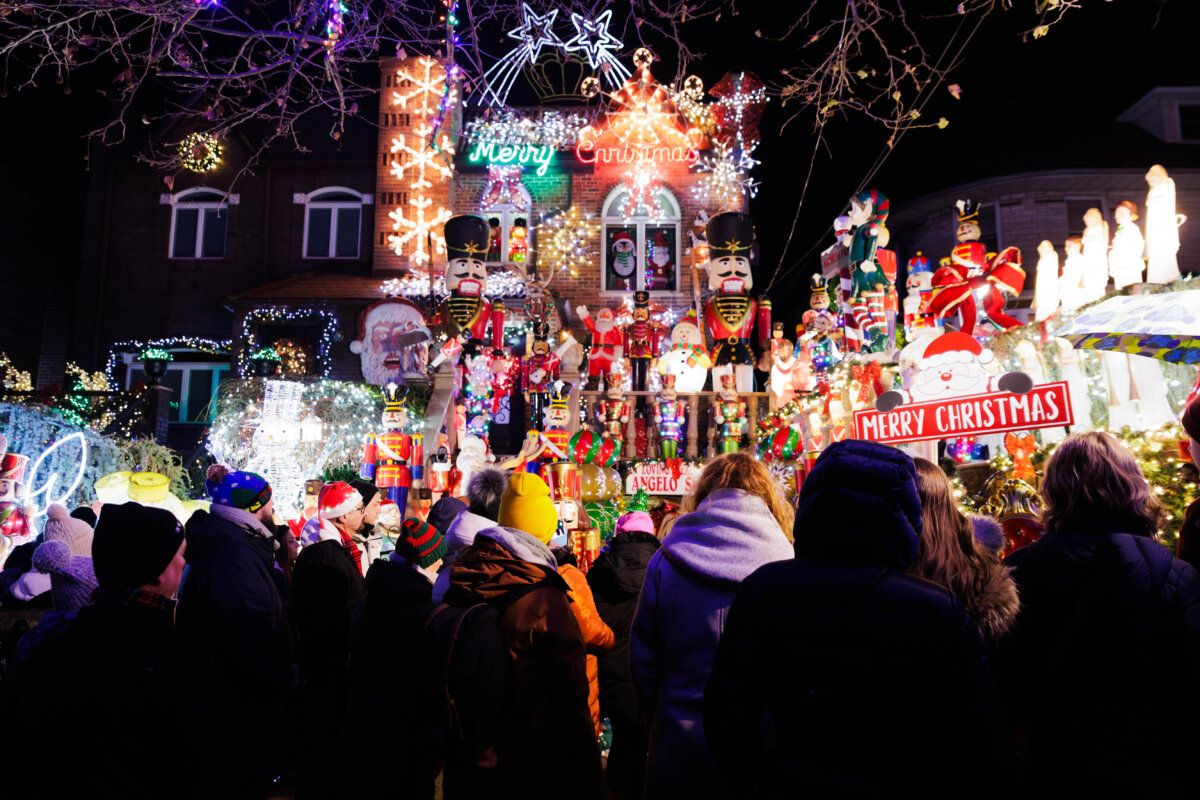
393, 344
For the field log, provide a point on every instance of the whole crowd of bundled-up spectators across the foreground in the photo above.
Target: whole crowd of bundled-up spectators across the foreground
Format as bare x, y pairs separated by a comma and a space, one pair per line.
868, 640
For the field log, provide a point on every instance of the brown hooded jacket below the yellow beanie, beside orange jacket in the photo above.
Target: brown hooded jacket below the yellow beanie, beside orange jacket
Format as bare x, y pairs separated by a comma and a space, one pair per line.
548, 745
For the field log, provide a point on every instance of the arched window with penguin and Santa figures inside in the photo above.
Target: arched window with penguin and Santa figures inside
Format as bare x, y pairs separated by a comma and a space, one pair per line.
641, 251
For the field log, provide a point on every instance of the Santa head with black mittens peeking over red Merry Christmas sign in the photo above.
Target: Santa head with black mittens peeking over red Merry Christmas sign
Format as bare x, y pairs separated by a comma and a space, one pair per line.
952, 365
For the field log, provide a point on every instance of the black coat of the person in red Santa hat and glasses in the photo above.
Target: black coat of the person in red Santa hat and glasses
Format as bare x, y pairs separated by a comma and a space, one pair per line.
326, 588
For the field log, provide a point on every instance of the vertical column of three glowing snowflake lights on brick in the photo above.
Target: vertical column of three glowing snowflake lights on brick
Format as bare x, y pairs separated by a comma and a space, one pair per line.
421, 157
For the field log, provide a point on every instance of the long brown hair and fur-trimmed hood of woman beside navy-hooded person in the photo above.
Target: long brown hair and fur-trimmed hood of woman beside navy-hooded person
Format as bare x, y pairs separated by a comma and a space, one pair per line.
950, 556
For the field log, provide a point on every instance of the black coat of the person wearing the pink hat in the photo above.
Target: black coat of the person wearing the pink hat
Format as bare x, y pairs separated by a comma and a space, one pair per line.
616, 580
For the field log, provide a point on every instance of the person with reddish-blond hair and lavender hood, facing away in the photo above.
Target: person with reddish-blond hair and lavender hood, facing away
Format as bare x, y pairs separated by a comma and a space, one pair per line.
733, 528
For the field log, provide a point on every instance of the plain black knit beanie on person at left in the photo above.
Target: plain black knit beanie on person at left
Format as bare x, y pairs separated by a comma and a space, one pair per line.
134, 545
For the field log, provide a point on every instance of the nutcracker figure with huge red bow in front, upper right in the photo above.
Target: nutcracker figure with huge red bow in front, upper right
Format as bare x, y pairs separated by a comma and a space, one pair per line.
973, 272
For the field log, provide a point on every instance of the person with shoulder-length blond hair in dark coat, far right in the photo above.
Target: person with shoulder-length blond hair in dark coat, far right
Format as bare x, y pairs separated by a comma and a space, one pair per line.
1107, 617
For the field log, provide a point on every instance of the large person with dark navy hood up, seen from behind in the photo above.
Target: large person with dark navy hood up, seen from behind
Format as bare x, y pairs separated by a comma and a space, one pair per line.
842, 675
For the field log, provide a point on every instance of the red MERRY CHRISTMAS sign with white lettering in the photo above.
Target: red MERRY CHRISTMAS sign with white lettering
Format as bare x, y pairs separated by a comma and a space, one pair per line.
1047, 406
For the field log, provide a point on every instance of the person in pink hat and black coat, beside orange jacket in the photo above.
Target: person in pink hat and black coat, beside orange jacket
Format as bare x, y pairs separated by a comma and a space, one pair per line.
616, 580
